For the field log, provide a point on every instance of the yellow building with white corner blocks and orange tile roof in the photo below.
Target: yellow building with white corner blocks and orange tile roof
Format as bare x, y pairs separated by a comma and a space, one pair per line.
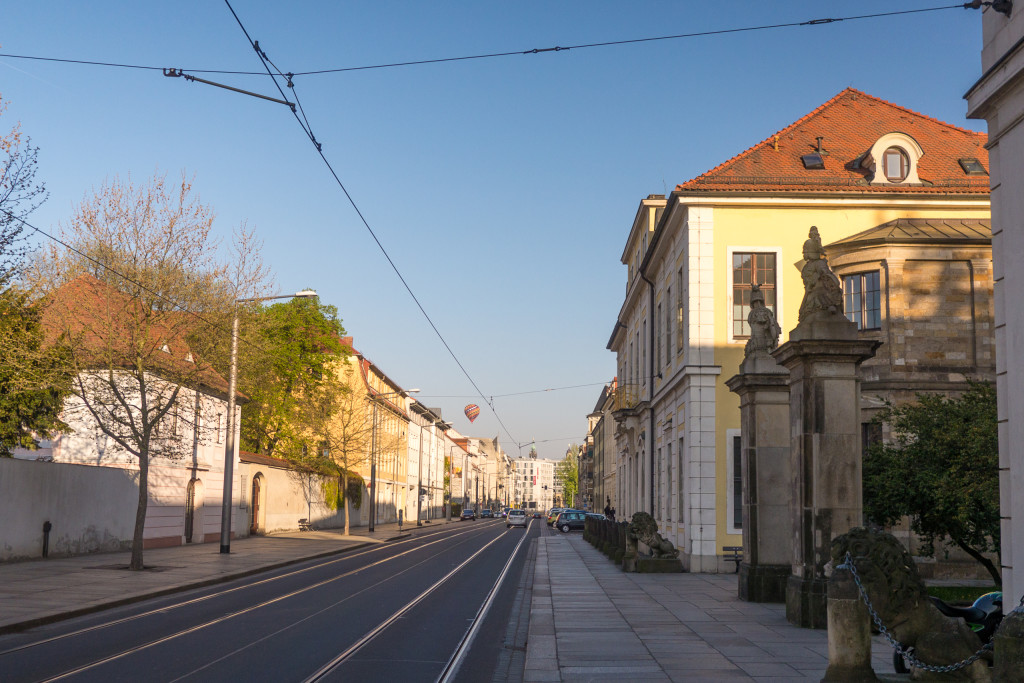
851, 165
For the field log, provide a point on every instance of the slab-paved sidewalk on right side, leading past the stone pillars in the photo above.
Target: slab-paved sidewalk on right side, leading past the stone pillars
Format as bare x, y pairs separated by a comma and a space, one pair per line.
591, 622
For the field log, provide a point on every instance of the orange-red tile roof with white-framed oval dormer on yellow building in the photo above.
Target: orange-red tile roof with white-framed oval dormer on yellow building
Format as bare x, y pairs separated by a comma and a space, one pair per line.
850, 123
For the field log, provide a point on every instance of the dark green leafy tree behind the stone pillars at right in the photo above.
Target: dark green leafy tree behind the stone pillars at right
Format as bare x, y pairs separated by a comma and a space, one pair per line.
942, 469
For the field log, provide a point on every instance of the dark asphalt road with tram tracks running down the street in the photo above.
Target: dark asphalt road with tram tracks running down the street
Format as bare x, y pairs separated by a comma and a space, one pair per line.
397, 612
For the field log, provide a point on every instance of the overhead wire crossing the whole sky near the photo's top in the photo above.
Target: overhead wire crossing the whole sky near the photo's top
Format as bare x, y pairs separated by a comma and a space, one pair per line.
491, 56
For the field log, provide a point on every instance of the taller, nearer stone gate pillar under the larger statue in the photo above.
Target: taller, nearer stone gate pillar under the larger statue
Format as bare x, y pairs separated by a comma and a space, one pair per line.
826, 458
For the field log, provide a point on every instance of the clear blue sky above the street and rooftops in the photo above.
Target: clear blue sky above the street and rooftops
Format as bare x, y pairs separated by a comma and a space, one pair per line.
502, 189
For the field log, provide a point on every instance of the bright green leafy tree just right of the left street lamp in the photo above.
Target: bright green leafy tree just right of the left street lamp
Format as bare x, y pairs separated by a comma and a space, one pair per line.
293, 348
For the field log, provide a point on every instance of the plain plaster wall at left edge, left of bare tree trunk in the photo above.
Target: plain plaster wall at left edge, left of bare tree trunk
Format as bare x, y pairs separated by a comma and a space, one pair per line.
93, 509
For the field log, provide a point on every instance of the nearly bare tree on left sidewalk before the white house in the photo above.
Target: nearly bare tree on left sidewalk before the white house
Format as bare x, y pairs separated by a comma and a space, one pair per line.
143, 286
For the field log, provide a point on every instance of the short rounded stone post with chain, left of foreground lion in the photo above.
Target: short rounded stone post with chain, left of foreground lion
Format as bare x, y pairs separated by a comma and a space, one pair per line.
849, 631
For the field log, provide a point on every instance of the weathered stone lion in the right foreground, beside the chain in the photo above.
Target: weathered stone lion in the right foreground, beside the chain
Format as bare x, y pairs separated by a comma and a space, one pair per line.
890, 578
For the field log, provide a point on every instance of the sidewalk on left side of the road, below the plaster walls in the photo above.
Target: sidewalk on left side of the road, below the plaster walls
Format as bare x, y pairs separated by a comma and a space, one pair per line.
44, 591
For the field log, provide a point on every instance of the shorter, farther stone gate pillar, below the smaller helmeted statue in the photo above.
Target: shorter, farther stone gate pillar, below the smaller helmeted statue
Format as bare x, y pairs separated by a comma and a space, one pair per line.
764, 407
